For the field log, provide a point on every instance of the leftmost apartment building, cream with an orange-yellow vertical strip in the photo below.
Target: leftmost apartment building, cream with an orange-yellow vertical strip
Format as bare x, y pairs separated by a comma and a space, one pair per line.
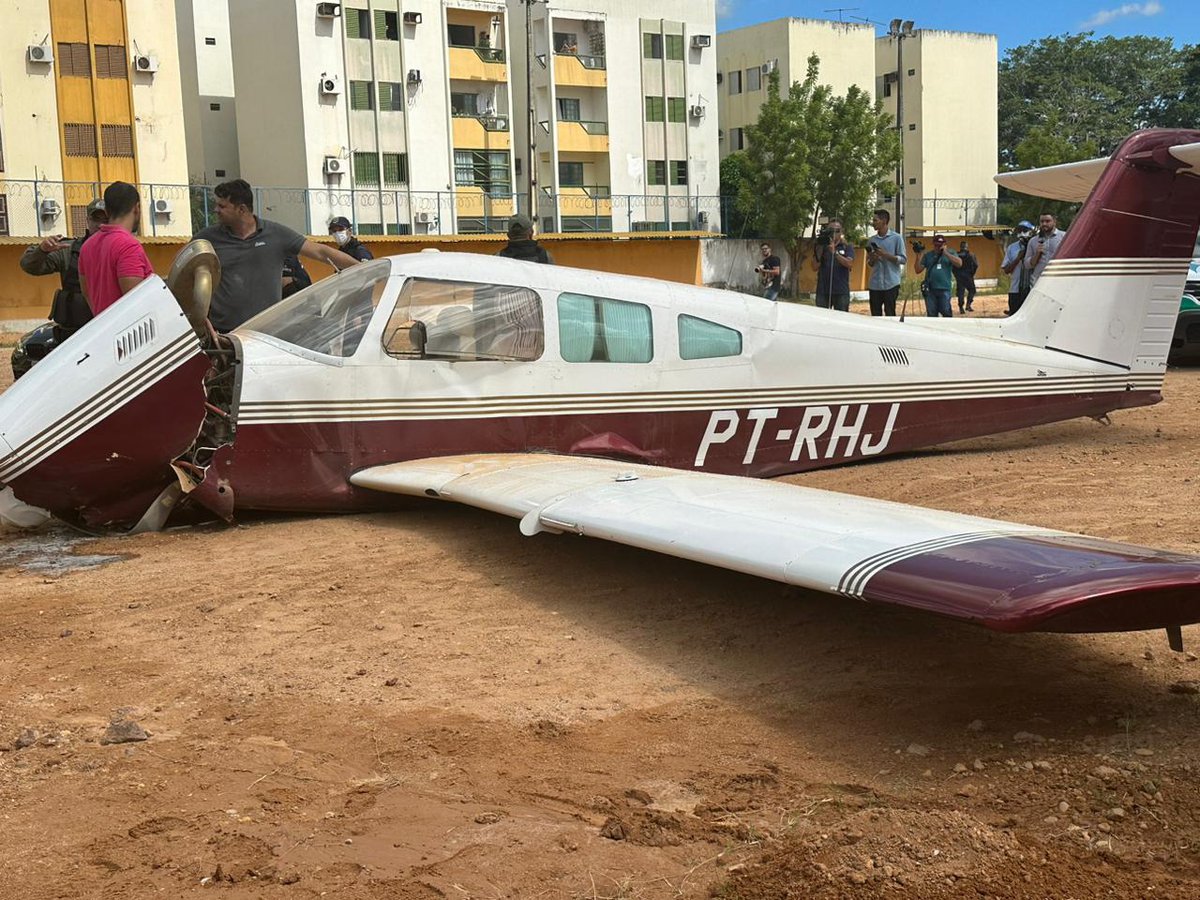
89, 94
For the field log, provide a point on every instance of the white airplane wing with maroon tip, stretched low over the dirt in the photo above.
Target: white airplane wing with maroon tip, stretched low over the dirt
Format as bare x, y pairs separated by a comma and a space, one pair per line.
1010, 578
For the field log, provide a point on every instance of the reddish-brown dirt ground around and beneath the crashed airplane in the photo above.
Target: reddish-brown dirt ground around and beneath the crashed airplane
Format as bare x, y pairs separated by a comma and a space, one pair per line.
428, 705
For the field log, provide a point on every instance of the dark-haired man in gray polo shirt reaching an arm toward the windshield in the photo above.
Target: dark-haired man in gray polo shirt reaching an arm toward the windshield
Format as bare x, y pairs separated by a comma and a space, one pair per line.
253, 251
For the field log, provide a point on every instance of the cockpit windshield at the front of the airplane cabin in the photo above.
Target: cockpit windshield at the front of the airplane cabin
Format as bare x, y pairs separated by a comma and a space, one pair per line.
332, 316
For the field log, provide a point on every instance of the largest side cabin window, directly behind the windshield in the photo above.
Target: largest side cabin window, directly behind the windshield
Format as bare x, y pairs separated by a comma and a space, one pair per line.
461, 321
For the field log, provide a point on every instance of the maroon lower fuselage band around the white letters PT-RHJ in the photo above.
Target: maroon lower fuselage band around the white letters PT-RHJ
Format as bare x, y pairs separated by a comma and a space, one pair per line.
307, 466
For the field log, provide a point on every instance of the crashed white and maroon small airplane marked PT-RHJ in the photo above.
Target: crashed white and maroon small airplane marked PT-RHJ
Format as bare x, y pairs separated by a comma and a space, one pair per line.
633, 410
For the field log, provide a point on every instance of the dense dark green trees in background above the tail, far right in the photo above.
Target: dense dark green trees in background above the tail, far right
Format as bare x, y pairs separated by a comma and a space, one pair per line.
1088, 91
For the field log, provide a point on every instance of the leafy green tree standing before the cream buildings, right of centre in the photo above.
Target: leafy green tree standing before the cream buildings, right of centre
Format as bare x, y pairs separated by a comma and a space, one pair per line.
814, 151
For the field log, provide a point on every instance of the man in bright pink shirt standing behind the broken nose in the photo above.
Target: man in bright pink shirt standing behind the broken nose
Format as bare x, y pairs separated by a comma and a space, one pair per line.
113, 262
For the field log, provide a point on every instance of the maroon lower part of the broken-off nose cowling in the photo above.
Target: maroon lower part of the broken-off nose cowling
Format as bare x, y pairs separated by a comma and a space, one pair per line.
113, 471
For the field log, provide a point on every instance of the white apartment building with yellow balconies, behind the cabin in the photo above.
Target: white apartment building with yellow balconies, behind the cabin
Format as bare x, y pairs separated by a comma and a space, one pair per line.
416, 117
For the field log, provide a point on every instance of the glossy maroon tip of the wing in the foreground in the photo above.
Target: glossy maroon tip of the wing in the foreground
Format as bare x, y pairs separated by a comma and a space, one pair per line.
1047, 584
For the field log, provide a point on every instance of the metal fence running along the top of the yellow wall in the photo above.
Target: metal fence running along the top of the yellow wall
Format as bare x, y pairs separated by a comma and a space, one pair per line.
40, 208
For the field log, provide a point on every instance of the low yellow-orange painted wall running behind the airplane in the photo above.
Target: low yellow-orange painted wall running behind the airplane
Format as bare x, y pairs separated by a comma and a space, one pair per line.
23, 297
